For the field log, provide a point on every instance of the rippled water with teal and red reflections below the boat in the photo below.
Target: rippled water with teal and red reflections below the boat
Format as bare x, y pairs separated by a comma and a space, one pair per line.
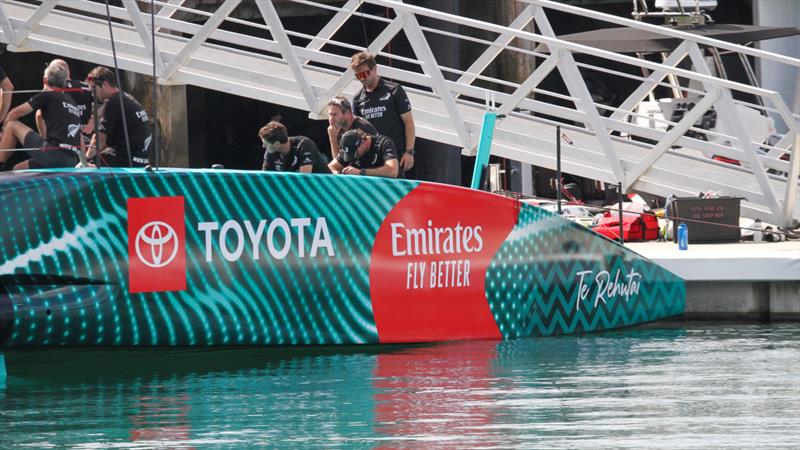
666, 386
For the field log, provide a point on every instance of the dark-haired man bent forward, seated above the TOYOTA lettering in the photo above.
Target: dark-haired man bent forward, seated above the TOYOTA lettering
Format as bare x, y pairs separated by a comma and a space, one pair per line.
284, 153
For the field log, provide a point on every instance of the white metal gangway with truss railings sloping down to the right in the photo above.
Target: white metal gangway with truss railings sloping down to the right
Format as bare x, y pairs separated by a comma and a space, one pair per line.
268, 60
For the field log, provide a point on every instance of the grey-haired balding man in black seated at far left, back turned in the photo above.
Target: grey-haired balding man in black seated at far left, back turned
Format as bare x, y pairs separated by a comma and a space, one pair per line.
60, 147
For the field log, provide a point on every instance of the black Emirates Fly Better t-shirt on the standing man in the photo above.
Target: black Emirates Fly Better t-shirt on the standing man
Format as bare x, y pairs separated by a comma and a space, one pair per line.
382, 108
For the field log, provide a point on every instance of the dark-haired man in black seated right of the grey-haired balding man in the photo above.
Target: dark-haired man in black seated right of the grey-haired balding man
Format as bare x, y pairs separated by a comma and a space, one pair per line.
111, 146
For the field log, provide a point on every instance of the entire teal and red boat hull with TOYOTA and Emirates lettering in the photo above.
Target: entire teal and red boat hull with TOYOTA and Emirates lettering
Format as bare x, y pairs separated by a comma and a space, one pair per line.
195, 258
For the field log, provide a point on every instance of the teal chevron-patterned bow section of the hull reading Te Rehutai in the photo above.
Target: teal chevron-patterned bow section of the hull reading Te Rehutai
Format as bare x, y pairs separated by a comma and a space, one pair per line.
581, 281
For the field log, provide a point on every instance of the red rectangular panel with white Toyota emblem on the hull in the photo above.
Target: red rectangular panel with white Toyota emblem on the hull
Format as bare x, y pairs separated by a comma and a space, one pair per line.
156, 244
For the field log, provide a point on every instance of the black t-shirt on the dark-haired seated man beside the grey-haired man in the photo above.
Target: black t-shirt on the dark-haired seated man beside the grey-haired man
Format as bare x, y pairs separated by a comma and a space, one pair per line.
138, 129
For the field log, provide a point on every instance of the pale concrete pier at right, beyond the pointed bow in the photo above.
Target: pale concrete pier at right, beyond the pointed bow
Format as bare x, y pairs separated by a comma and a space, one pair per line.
745, 280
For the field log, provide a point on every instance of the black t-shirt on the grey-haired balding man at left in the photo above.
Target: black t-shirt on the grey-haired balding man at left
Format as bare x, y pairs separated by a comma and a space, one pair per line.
61, 116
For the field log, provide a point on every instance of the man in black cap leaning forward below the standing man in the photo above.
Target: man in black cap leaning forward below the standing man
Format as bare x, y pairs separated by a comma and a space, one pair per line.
365, 154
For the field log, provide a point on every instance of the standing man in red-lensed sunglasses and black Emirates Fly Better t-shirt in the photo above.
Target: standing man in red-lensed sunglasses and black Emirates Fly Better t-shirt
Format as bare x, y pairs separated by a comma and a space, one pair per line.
386, 106
